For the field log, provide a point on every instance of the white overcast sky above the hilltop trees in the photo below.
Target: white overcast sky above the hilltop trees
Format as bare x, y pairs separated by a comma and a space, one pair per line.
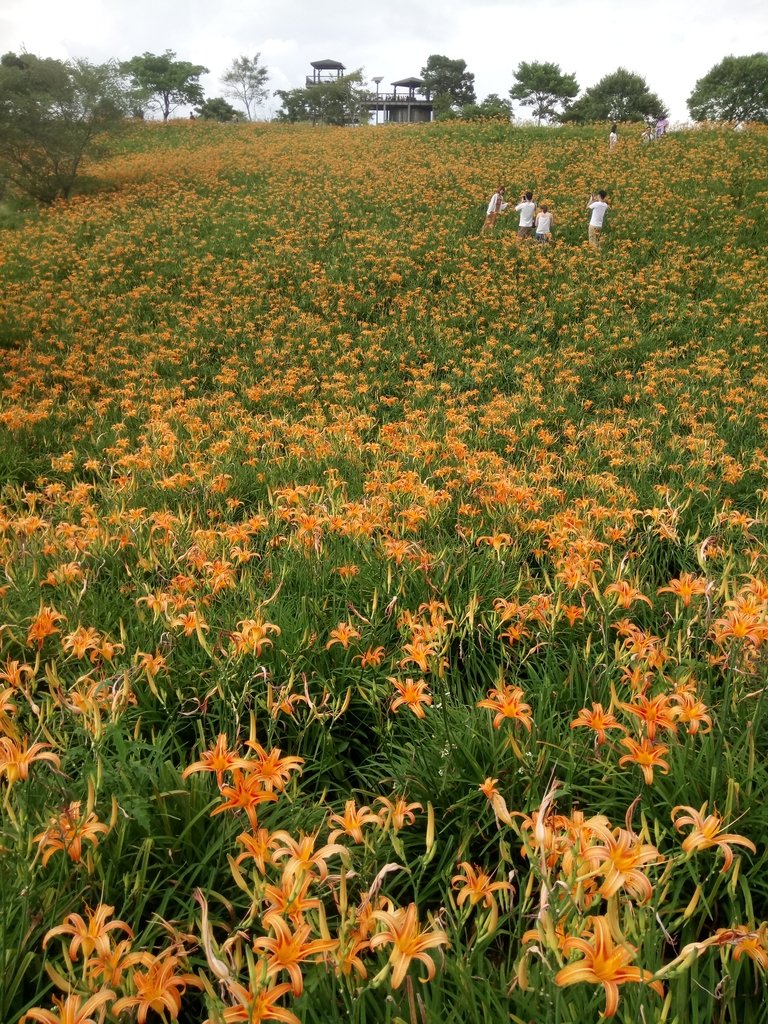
671, 44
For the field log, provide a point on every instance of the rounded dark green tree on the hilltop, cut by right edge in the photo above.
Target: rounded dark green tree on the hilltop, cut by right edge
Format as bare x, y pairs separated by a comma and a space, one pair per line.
737, 90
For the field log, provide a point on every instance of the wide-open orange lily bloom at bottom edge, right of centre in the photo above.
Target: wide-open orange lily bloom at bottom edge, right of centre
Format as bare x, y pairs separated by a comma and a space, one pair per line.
604, 964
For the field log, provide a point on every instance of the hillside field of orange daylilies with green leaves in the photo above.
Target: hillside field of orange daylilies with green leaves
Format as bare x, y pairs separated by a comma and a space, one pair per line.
385, 608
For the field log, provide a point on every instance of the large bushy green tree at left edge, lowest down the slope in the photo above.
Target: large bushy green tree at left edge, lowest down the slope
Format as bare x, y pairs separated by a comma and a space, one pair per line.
53, 115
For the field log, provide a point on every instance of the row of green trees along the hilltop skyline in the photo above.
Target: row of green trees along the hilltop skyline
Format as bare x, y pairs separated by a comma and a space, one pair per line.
55, 113
